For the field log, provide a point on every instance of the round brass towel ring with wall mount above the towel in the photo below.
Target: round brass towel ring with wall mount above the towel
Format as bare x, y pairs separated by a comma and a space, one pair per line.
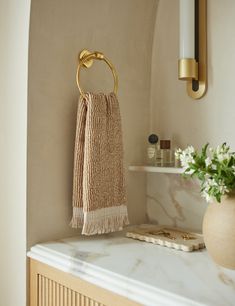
86, 60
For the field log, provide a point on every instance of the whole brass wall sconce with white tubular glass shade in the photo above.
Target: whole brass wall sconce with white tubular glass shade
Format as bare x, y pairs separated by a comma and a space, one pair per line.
192, 65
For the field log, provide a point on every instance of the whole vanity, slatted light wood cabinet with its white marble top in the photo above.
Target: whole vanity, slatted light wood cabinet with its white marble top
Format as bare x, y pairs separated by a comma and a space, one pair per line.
113, 270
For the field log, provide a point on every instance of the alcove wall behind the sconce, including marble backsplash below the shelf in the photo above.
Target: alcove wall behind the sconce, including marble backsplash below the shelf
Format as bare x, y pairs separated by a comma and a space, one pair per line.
174, 115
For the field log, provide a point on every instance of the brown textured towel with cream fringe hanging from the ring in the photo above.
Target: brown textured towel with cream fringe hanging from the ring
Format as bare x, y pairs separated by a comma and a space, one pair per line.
98, 182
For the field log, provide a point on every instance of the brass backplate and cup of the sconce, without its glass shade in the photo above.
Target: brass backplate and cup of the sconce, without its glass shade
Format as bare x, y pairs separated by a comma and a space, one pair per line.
186, 68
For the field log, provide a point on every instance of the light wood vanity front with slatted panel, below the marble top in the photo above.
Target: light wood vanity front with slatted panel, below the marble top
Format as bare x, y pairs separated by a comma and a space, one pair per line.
53, 287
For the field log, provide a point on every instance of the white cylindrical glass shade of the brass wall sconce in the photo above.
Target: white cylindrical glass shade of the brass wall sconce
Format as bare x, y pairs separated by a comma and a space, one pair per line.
187, 29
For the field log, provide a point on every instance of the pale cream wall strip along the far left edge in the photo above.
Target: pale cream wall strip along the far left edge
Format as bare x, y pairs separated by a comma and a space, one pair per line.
14, 28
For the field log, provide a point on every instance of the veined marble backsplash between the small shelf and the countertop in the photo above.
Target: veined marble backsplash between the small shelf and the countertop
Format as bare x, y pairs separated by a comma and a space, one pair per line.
175, 201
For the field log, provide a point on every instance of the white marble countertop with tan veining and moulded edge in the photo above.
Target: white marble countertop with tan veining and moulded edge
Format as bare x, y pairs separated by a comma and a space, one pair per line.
146, 273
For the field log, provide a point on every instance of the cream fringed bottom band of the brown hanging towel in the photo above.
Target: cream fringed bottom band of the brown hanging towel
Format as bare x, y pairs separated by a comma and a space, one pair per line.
101, 221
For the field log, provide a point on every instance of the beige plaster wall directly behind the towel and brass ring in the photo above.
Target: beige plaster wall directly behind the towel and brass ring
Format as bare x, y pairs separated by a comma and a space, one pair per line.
123, 30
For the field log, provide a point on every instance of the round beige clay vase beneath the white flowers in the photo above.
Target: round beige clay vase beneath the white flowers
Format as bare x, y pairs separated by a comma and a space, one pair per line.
219, 231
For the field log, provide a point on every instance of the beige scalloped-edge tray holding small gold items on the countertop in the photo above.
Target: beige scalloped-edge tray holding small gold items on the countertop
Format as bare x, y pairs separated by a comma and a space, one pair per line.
170, 237
